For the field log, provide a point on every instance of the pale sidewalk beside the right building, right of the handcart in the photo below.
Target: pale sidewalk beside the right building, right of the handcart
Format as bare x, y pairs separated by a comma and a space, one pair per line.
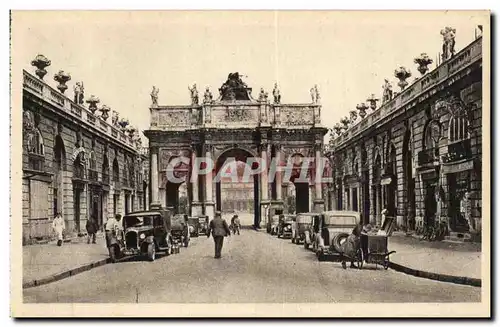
444, 258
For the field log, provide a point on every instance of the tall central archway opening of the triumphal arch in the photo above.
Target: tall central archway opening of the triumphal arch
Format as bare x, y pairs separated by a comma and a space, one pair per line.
237, 186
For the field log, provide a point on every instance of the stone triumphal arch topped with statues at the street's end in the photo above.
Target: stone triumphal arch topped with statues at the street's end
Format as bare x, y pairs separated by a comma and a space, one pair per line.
235, 125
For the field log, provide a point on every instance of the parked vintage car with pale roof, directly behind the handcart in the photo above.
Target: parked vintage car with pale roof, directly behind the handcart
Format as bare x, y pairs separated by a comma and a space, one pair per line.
331, 228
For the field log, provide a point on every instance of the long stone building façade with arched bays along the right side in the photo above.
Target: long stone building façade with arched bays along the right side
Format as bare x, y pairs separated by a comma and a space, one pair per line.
420, 154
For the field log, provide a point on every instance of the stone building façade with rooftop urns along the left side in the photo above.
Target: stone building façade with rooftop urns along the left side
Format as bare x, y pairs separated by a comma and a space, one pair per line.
74, 161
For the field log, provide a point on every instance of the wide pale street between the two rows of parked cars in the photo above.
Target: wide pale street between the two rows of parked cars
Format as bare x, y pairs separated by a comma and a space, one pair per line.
255, 267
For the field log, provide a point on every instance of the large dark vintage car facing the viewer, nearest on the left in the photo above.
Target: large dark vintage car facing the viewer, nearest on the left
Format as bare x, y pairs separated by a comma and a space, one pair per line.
147, 232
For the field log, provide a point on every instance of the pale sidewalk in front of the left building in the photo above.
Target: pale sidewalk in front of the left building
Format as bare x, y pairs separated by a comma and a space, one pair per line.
43, 261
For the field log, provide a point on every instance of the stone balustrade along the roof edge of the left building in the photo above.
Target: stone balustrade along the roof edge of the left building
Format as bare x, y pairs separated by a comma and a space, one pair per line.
48, 94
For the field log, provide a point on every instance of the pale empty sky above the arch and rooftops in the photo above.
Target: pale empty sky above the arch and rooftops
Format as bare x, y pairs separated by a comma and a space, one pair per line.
120, 55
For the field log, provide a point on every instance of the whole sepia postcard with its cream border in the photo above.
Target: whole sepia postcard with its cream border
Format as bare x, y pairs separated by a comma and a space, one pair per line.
250, 163
